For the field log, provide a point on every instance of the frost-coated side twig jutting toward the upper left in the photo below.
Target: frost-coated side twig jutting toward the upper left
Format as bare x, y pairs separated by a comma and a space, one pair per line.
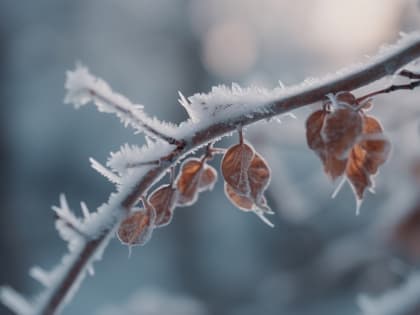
82, 88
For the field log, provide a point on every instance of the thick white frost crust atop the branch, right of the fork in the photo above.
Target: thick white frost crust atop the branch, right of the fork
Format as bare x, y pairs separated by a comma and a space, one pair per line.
225, 103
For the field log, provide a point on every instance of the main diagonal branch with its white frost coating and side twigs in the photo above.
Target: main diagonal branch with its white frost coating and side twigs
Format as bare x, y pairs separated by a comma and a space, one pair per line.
212, 116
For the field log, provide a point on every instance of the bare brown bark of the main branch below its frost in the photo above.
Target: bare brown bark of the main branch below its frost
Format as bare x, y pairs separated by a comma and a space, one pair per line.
361, 77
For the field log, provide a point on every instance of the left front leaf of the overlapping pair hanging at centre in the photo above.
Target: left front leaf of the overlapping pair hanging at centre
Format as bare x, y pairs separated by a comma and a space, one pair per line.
235, 165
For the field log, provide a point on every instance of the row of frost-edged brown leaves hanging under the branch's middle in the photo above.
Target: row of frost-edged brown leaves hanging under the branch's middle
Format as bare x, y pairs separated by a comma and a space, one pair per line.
246, 177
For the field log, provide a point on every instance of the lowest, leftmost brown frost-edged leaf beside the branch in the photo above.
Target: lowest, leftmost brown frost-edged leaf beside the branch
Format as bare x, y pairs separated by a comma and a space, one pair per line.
137, 228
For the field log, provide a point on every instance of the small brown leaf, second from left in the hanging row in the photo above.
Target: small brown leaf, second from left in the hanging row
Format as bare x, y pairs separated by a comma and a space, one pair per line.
163, 200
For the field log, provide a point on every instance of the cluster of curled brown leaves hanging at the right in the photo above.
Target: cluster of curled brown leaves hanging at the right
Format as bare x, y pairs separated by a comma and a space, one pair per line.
348, 141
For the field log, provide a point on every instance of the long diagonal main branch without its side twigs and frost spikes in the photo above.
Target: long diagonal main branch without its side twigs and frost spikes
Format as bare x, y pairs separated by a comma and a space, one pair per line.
119, 204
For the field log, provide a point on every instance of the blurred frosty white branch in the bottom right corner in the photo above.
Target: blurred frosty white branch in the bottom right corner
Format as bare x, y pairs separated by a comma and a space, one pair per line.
403, 300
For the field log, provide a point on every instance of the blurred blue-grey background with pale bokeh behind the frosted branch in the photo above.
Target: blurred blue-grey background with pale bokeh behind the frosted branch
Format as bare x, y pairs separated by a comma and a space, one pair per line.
213, 258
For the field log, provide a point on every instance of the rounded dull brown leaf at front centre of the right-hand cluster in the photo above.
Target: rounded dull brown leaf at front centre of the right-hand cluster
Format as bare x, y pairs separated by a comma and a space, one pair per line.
341, 131
